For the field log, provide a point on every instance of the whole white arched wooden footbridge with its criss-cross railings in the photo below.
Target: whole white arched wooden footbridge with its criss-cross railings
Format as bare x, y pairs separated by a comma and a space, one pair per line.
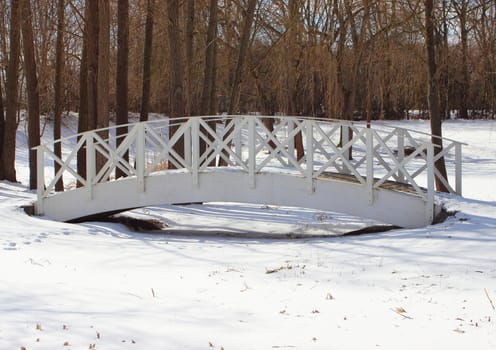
389, 176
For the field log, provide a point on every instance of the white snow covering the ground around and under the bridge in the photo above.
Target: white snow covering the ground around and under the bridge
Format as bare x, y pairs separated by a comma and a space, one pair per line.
101, 286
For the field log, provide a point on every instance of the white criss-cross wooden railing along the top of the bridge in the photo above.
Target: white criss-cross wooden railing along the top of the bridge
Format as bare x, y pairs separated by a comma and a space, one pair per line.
252, 144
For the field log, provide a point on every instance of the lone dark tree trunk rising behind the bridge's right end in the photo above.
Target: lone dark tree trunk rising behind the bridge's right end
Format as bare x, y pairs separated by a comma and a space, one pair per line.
433, 92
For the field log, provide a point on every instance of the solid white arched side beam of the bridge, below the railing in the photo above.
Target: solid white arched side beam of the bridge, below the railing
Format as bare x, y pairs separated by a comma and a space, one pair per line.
329, 194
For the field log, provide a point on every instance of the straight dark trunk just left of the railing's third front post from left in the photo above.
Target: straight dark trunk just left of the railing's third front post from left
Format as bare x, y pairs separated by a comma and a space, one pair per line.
122, 74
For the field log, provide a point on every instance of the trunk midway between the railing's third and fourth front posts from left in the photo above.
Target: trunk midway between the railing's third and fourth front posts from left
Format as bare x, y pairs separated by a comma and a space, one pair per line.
175, 72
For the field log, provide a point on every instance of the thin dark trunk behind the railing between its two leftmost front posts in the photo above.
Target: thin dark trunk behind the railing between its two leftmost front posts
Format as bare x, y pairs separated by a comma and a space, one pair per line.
59, 87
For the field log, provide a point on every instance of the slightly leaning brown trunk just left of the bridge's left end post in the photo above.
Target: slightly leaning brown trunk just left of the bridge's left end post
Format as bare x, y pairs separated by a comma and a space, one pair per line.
32, 89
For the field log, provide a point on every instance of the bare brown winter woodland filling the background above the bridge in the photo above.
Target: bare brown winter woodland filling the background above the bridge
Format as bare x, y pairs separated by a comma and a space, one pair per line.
347, 59
